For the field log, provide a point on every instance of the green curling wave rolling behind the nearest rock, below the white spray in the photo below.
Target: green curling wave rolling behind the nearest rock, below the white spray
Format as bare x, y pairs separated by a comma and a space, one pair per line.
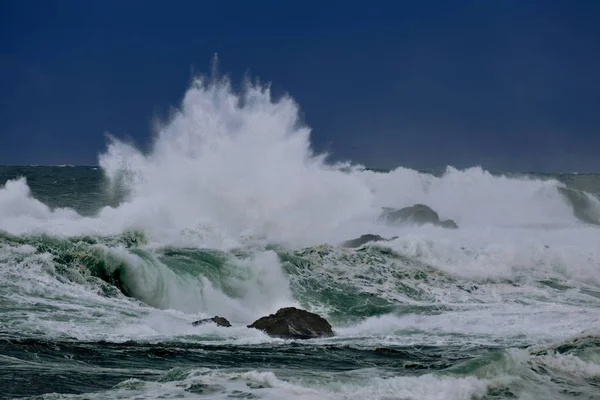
346, 285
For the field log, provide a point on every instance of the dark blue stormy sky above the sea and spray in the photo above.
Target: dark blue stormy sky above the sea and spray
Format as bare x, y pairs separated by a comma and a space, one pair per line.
510, 85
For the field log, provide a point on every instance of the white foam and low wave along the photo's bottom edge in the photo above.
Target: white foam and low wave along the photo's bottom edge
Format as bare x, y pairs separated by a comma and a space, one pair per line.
512, 373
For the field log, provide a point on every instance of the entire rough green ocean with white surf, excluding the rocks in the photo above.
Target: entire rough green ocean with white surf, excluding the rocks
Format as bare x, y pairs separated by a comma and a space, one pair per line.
229, 212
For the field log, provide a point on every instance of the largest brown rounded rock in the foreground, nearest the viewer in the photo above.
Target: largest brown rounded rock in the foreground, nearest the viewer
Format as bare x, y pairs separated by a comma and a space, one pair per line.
293, 323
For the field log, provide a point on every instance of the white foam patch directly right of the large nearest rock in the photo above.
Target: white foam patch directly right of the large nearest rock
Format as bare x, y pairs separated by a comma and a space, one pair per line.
501, 324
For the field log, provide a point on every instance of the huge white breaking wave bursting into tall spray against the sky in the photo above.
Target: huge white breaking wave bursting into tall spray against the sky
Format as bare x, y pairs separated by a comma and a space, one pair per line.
229, 166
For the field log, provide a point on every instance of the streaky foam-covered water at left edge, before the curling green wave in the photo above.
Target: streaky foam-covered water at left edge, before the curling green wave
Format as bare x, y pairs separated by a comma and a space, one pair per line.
36, 301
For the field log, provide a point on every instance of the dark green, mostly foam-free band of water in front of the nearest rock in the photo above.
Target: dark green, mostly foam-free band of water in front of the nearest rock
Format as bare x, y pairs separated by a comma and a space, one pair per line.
65, 366
